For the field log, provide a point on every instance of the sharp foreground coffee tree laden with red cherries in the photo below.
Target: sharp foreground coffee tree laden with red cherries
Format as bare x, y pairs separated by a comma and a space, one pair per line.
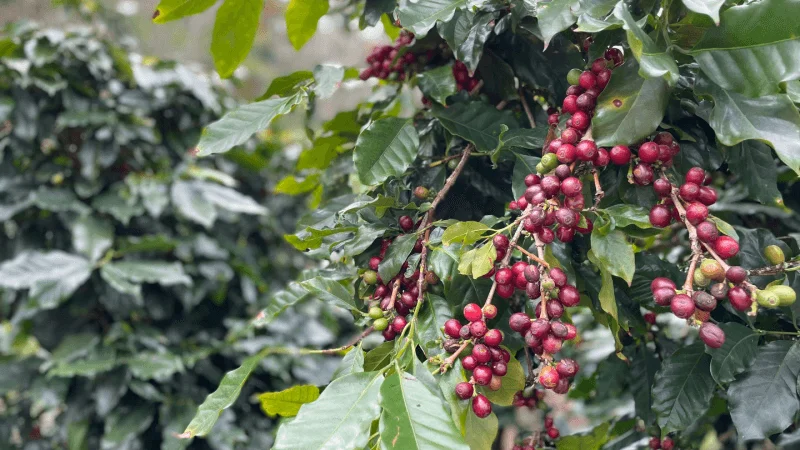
570, 166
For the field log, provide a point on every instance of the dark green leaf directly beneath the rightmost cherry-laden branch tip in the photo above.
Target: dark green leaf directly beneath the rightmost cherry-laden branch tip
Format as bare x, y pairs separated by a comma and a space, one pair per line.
735, 355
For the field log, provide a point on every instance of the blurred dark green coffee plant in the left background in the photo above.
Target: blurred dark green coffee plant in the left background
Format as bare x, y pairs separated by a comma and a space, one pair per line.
128, 267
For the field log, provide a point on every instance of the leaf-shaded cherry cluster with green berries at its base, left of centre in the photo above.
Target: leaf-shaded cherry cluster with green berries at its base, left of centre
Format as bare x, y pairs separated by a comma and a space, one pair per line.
390, 313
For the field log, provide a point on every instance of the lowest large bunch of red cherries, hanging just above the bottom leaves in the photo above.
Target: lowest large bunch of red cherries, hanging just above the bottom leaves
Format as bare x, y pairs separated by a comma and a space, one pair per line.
487, 361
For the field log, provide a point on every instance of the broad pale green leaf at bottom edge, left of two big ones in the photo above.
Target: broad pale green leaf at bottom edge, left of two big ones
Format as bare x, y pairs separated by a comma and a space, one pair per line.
339, 419
